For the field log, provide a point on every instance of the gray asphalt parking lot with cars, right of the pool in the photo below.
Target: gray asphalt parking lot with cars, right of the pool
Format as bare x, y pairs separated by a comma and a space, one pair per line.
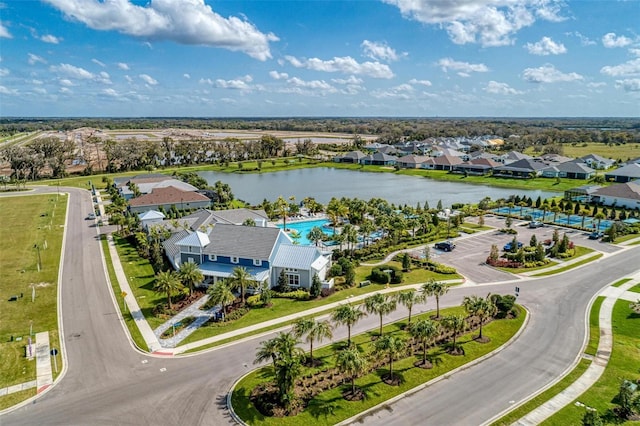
471, 251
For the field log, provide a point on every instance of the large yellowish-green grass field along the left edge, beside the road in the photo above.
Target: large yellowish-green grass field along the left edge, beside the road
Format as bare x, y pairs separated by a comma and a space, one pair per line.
27, 221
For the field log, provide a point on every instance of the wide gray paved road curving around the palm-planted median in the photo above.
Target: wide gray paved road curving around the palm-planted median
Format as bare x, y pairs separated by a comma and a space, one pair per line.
108, 382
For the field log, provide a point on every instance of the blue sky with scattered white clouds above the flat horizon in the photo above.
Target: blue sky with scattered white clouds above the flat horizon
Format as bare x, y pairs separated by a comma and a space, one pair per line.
319, 58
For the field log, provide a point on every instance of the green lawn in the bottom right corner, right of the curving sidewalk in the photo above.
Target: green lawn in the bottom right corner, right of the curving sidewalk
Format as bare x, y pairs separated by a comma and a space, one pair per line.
623, 364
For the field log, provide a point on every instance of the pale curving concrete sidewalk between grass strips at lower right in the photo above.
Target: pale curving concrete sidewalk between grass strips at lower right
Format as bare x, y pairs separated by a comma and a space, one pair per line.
597, 367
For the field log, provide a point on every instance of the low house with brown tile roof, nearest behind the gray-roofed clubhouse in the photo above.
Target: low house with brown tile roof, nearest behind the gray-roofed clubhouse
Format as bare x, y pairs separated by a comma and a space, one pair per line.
168, 197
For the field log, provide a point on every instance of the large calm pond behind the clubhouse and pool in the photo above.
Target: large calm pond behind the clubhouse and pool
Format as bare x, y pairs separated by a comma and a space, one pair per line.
322, 183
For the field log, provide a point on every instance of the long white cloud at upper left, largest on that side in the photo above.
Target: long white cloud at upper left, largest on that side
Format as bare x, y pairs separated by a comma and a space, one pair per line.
189, 22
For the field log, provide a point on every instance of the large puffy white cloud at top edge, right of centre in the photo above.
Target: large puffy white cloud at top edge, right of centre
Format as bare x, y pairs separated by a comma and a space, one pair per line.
488, 22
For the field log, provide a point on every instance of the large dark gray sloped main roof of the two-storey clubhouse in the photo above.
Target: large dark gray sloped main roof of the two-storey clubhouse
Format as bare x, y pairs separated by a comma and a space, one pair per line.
247, 242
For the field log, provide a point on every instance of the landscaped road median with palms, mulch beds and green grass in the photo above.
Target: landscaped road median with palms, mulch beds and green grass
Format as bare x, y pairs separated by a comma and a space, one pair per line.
332, 405
